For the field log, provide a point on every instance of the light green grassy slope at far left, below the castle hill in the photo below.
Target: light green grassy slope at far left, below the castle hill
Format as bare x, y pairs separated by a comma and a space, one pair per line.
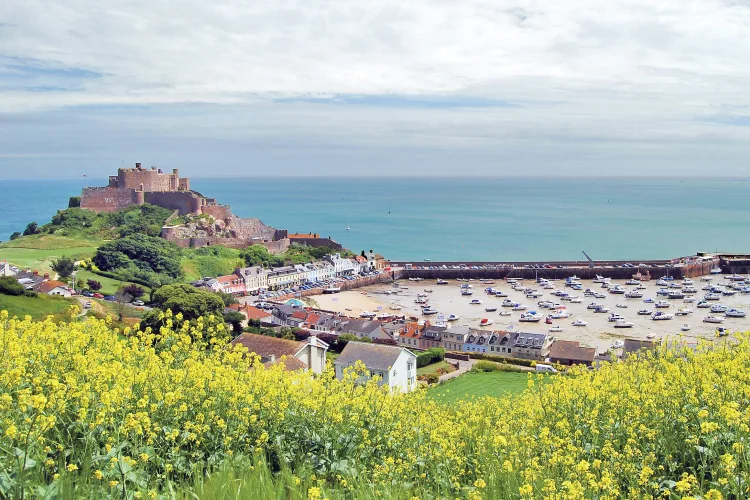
37, 252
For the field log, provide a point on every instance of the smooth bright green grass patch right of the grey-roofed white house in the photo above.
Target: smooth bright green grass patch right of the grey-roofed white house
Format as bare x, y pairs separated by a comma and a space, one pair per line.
495, 384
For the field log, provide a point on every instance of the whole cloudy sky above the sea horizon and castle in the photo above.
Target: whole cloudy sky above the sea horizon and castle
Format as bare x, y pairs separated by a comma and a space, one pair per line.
387, 88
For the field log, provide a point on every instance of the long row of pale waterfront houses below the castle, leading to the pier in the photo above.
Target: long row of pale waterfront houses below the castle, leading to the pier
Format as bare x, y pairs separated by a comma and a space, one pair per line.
248, 280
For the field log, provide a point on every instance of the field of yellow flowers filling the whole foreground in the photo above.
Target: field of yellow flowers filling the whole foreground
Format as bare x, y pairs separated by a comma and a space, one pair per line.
88, 411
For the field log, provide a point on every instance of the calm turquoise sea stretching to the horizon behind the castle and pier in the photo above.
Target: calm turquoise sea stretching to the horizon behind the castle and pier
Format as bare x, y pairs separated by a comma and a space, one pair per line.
465, 219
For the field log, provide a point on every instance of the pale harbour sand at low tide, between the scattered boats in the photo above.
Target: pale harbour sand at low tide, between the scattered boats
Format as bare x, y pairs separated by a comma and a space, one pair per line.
599, 333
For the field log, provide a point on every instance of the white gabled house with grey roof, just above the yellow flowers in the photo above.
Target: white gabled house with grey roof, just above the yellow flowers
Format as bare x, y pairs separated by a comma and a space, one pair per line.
396, 366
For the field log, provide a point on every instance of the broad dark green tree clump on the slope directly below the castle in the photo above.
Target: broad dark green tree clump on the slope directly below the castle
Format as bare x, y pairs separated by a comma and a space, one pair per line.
139, 255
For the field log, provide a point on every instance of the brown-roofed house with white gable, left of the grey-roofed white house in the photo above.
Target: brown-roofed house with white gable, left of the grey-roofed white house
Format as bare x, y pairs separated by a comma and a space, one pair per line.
306, 355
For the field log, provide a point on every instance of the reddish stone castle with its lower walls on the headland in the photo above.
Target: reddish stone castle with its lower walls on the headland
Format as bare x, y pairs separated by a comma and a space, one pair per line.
135, 186
